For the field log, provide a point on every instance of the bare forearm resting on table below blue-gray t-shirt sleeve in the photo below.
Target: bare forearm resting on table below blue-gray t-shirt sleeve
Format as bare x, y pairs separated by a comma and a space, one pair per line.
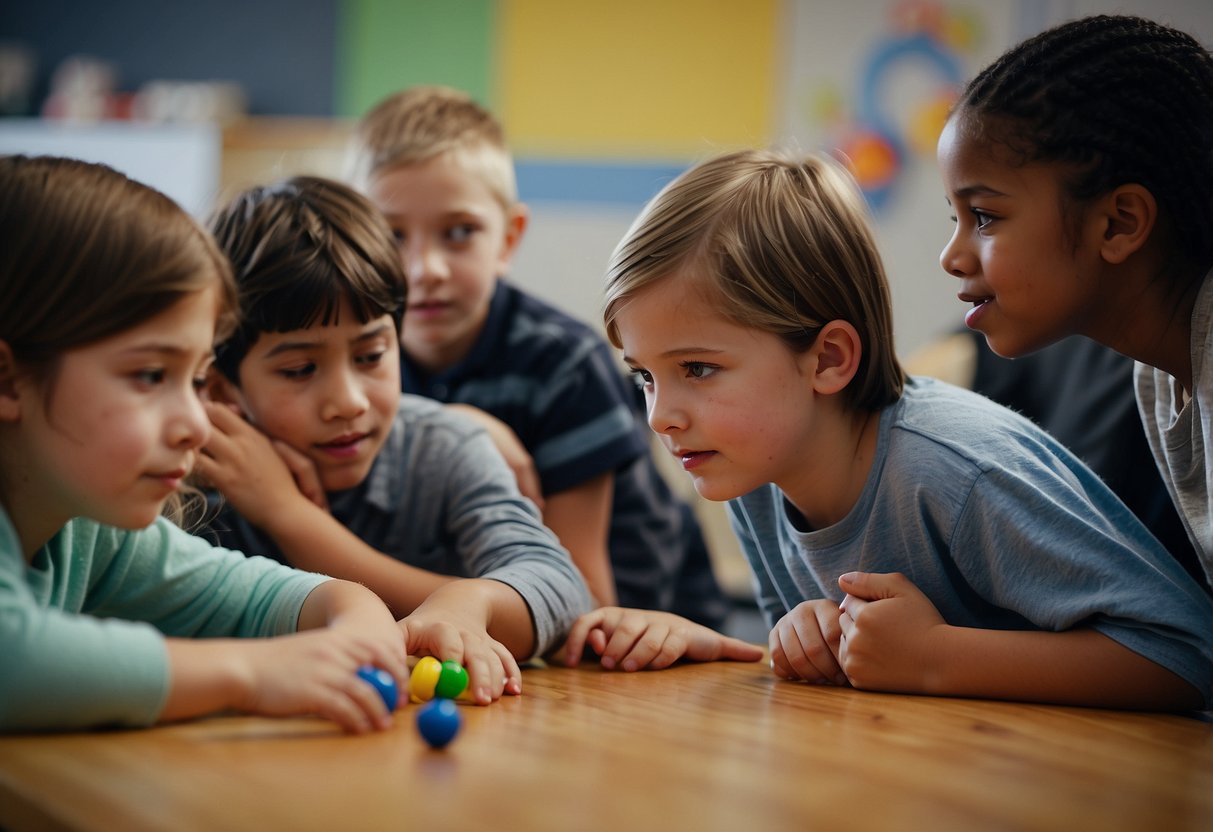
1074, 668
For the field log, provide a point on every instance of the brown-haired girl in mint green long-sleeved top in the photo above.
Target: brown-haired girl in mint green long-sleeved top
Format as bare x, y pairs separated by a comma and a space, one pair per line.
109, 613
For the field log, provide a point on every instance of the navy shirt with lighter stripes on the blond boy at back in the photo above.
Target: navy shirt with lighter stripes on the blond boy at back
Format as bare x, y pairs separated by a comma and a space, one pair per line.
556, 384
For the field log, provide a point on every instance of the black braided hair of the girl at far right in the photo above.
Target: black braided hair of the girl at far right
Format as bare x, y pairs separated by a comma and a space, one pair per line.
1120, 100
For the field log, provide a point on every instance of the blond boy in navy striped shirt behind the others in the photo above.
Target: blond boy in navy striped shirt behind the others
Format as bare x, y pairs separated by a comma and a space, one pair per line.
437, 166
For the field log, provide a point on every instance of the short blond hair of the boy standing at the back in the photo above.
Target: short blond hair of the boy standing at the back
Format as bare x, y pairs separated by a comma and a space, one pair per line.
422, 123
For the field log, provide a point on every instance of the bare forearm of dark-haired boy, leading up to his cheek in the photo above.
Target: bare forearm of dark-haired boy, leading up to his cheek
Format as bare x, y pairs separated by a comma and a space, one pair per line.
314, 540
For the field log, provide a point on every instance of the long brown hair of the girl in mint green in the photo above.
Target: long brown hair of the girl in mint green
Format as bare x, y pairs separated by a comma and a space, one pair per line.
88, 254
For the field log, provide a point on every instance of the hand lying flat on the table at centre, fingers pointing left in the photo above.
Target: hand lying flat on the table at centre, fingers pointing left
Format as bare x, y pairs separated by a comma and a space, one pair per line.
636, 640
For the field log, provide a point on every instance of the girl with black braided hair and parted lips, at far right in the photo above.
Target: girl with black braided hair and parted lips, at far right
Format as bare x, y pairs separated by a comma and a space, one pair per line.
1080, 173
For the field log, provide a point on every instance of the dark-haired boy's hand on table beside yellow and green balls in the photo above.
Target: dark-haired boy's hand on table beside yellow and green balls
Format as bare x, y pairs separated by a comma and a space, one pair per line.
436, 630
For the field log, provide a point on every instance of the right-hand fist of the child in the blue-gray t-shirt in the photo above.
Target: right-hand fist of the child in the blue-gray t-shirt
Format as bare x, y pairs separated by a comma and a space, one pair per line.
889, 629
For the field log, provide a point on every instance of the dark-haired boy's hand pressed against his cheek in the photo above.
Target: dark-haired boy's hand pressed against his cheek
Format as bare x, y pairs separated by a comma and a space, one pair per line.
242, 463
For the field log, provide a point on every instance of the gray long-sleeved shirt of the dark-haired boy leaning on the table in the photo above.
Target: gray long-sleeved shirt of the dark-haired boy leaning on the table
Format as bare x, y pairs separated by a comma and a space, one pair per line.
441, 498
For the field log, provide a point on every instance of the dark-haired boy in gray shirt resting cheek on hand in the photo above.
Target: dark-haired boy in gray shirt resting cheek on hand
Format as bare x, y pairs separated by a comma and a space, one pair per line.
415, 497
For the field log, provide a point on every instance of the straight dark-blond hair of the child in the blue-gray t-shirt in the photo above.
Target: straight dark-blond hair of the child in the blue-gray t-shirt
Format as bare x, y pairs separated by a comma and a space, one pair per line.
784, 243
